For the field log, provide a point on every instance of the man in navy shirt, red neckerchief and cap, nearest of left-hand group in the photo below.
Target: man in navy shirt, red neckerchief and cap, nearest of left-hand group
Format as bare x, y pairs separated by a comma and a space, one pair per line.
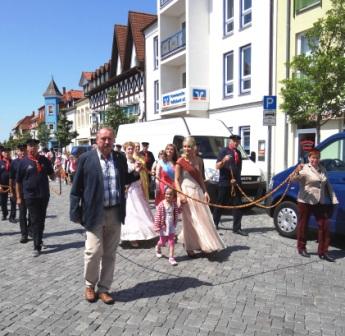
32, 182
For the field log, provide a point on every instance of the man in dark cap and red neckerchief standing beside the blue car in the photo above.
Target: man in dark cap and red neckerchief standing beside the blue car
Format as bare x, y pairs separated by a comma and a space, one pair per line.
229, 163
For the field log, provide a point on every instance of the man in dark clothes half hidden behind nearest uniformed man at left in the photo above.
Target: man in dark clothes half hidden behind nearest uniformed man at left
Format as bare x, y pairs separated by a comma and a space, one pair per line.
24, 220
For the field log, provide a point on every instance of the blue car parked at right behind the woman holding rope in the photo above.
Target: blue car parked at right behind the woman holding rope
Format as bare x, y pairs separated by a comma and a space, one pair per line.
285, 214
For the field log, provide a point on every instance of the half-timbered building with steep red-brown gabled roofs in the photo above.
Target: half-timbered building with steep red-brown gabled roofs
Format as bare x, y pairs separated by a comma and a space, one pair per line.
124, 73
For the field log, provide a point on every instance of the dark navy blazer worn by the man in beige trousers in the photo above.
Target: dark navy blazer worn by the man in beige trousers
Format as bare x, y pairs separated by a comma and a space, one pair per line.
87, 193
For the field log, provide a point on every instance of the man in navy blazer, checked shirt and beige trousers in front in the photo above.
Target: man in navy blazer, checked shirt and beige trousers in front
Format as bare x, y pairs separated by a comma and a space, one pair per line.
98, 203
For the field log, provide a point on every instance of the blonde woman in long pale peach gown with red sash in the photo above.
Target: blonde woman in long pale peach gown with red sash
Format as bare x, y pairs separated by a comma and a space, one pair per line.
199, 232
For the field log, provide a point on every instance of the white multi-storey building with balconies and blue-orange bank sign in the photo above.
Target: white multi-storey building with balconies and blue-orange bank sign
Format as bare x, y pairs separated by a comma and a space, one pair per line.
212, 60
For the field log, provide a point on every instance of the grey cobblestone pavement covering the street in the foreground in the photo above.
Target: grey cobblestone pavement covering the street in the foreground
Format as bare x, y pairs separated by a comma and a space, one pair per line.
257, 286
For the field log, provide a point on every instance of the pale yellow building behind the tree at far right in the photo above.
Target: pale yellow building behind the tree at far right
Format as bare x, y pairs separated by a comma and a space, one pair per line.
294, 18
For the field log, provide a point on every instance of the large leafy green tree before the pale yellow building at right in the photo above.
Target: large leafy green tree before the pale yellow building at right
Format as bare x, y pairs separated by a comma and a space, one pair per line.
315, 92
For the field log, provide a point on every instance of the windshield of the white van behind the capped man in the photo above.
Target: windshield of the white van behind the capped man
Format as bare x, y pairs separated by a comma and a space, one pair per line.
209, 146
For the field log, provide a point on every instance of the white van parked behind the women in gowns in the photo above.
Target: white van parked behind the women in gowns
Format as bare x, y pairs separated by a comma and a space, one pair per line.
210, 135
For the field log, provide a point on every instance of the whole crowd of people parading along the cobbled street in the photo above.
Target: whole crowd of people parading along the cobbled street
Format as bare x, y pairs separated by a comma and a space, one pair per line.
110, 195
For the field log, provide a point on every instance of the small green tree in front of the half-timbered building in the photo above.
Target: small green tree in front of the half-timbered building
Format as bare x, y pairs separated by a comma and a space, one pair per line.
114, 115
